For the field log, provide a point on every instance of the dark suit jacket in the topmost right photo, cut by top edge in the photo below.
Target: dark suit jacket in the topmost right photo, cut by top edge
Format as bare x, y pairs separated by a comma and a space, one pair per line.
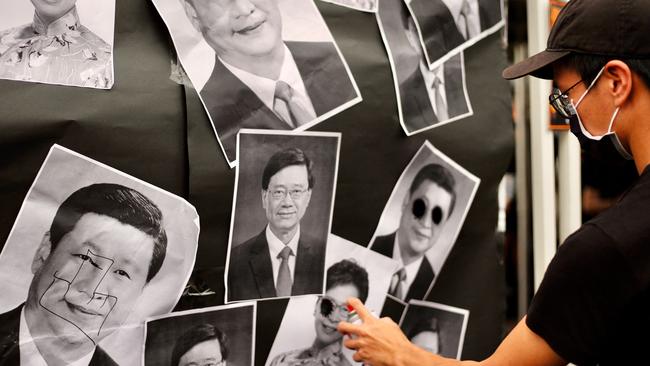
438, 28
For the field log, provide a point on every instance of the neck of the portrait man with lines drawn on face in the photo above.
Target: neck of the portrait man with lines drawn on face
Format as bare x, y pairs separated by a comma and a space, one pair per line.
56, 350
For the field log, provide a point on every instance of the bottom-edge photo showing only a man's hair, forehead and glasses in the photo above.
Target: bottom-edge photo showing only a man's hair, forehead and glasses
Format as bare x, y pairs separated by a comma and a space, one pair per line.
220, 335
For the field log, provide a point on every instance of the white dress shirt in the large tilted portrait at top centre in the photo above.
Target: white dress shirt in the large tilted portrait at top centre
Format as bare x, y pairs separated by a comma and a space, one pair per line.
264, 88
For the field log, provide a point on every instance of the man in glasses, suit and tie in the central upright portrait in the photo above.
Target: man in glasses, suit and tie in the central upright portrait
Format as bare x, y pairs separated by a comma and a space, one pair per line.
282, 260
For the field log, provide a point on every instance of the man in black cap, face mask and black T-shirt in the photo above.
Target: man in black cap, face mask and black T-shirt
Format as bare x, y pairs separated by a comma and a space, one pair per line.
591, 308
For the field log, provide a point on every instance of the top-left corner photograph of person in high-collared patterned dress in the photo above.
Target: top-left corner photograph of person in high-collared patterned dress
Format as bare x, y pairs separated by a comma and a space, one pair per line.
62, 42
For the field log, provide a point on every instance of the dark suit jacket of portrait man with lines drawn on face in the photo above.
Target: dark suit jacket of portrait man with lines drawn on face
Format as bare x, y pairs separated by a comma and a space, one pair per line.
10, 351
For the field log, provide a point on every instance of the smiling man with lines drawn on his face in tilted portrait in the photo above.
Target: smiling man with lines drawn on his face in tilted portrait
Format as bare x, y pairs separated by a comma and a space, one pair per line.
105, 244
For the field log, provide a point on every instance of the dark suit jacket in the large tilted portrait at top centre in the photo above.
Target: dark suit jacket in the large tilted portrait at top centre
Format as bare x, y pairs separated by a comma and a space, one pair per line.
233, 106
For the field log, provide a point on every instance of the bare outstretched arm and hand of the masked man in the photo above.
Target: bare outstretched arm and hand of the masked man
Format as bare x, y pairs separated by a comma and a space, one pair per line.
380, 342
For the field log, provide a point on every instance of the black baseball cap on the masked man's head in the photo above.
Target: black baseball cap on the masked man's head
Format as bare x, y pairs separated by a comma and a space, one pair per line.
616, 28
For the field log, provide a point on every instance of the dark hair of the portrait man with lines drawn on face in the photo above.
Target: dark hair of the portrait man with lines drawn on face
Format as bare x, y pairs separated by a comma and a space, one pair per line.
124, 204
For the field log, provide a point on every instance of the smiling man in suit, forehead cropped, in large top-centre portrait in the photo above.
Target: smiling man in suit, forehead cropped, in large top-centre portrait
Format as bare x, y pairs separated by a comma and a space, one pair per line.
259, 80
